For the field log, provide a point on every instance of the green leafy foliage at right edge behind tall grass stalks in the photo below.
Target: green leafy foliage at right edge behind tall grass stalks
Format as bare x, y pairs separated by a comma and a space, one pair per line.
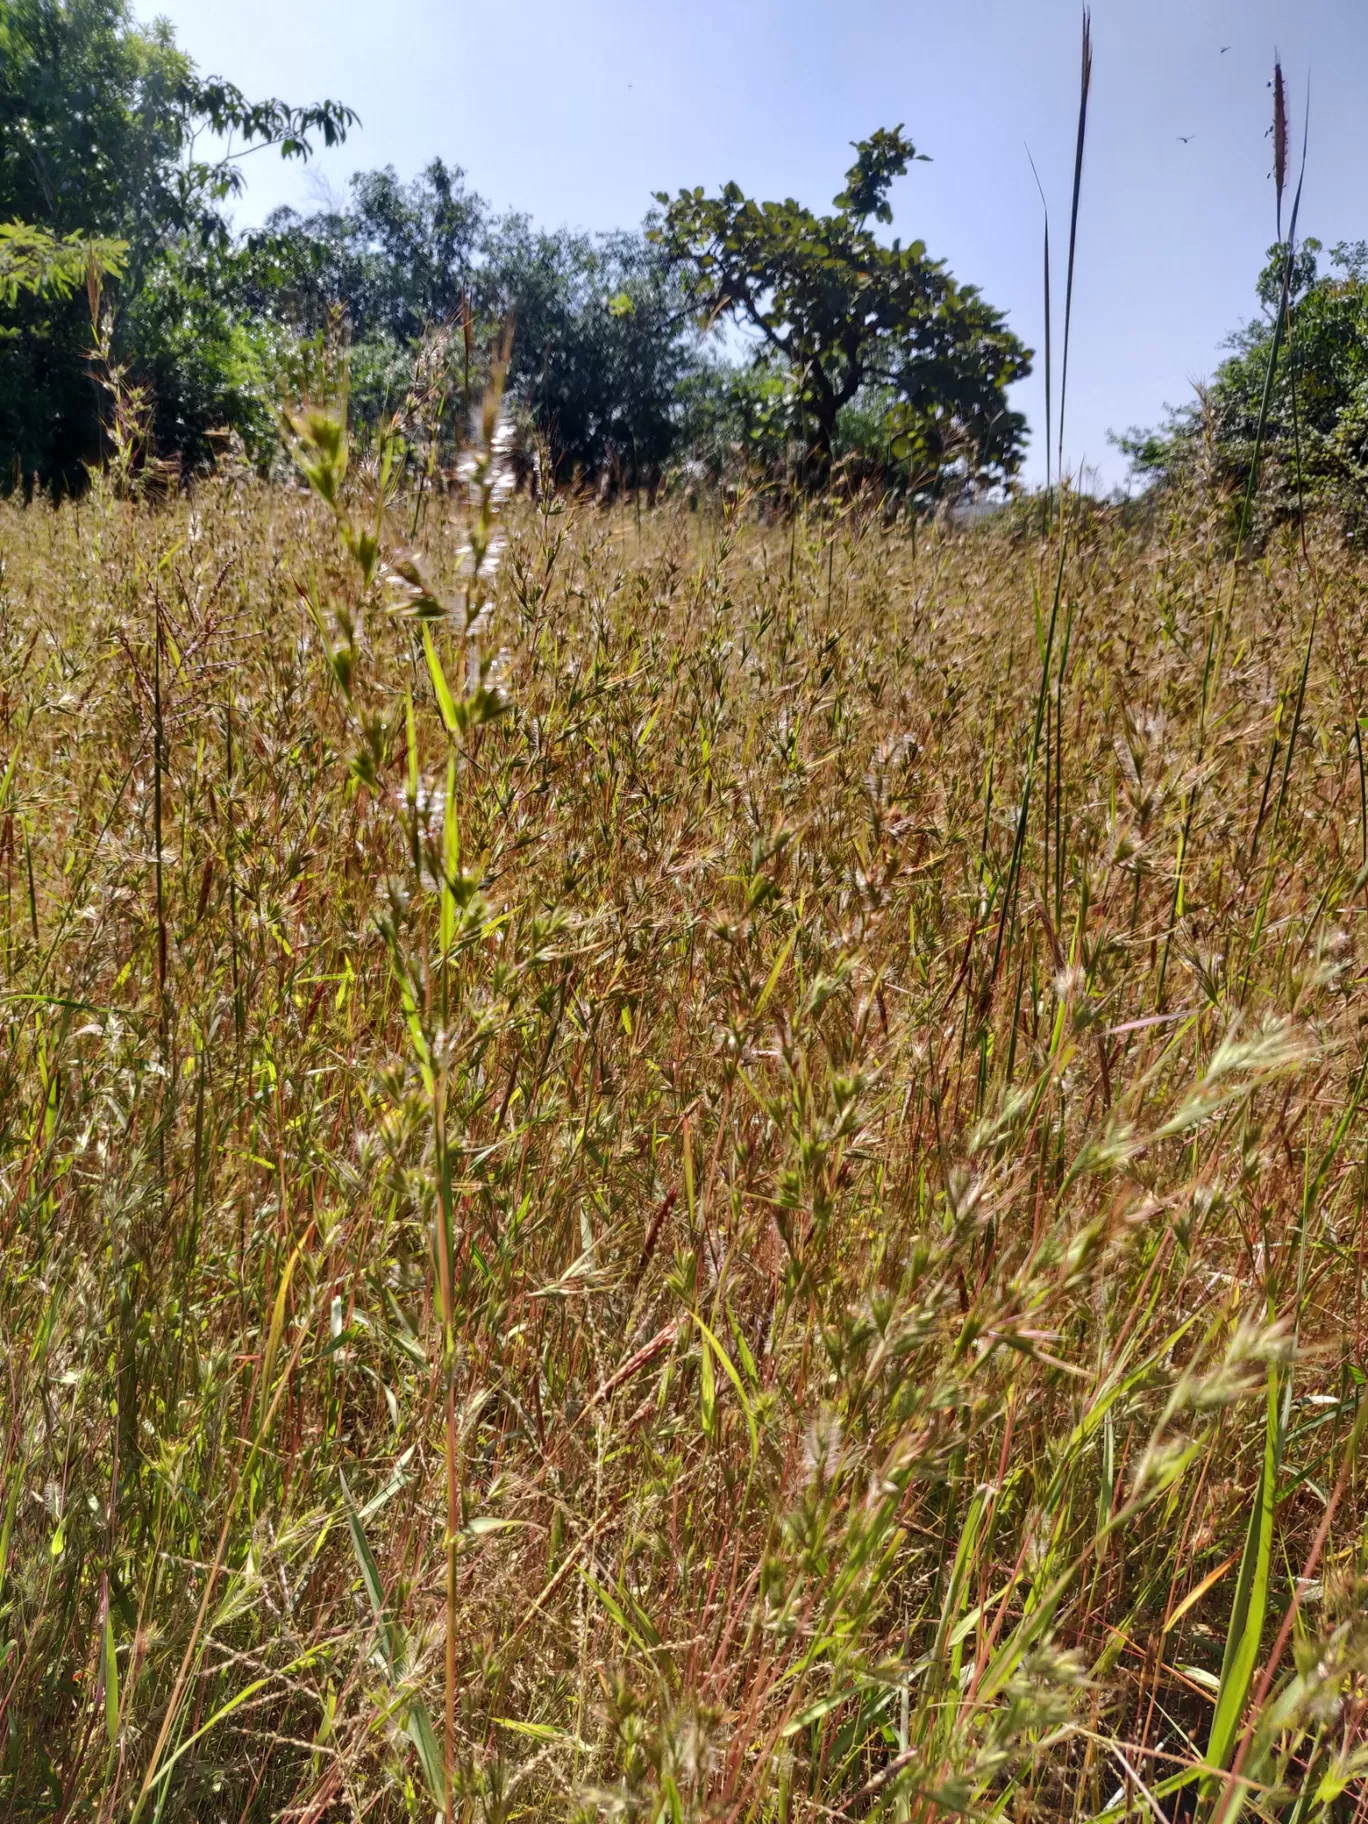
1316, 446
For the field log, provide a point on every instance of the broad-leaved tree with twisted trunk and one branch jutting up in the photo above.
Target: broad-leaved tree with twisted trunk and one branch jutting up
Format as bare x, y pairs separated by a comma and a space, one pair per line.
853, 318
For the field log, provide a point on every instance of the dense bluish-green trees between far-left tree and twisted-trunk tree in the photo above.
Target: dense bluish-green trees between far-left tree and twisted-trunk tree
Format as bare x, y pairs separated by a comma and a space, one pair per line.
601, 349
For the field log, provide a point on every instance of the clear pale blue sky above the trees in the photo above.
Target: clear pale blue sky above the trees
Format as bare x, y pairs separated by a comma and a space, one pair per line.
575, 114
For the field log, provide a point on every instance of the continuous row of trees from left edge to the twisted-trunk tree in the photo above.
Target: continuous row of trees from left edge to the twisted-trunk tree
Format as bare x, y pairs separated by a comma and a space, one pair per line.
860, 353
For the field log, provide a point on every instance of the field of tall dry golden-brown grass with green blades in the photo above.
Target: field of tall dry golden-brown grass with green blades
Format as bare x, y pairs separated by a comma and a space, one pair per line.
834, 1152
